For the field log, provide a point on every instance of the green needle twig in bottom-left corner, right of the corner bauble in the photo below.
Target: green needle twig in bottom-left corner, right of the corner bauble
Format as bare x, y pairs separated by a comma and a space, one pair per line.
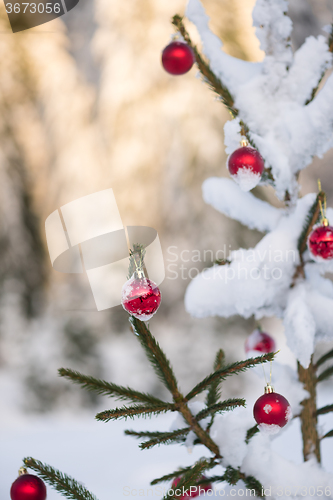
62, 483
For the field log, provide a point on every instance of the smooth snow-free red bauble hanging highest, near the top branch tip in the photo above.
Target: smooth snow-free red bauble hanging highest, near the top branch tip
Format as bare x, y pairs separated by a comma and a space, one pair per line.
177, 58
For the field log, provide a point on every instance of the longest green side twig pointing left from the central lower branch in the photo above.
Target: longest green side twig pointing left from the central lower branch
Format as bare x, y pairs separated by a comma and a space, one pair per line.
108, 389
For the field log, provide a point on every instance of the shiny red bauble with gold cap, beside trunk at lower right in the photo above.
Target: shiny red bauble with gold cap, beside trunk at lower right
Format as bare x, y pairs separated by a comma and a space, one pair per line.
271, 411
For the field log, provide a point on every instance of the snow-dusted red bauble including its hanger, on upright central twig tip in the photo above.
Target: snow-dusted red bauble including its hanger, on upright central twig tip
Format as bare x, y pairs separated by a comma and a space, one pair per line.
140, 296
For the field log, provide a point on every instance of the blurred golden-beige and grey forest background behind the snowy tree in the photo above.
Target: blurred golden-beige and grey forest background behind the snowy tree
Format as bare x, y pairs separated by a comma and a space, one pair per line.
85, 105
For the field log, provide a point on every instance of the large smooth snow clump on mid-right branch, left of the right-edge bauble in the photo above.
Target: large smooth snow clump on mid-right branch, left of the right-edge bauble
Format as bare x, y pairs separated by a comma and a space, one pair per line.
257, 282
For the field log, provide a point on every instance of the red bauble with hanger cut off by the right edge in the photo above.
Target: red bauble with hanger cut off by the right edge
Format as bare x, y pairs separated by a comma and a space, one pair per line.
320, 240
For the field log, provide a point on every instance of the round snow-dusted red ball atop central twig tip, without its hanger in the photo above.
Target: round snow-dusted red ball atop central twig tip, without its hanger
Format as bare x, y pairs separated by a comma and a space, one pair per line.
141, 298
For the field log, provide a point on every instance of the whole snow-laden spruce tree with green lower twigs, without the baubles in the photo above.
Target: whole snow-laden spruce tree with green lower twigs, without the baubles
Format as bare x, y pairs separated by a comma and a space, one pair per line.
279, 107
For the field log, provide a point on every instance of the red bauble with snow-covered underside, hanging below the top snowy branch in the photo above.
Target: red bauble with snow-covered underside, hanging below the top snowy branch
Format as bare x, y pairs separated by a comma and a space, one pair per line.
246, 167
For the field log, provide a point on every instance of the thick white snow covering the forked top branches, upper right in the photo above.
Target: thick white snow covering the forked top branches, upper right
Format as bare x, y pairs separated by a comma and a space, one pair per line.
276, 99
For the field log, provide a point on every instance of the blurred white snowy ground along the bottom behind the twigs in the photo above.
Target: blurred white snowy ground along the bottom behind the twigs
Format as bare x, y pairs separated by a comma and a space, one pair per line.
109, 464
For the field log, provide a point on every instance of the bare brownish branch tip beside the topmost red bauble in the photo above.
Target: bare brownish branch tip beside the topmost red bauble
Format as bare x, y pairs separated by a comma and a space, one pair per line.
214, 83
